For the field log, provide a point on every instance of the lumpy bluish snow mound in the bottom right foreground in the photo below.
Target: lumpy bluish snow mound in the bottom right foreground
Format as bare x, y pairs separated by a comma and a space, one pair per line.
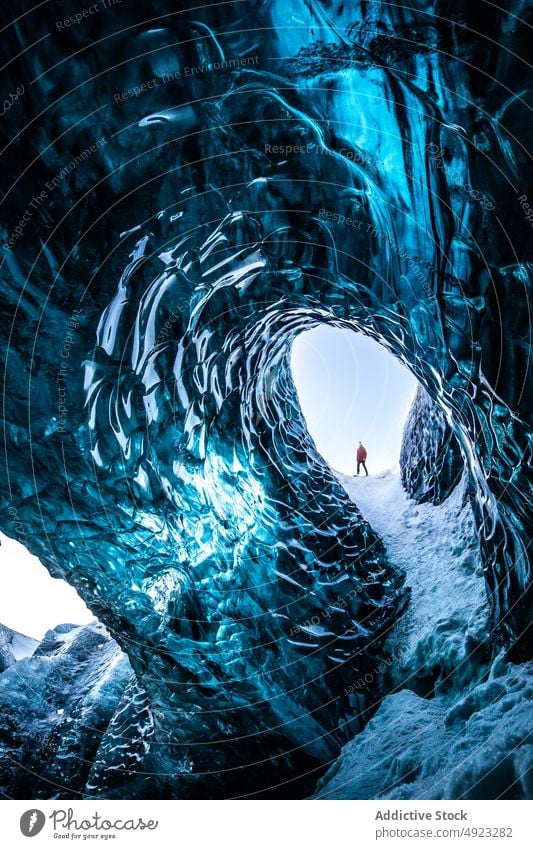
414, 748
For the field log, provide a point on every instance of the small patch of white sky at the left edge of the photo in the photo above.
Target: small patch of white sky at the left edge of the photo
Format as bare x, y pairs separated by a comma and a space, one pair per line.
31, 601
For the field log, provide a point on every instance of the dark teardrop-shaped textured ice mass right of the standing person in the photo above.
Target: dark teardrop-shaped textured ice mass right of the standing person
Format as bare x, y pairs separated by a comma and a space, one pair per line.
430, 459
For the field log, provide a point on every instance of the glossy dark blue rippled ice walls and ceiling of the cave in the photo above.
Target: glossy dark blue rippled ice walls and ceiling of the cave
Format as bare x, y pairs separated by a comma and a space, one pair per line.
185, 192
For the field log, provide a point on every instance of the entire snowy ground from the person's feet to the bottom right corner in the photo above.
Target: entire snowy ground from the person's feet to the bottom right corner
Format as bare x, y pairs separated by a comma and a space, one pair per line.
456, 722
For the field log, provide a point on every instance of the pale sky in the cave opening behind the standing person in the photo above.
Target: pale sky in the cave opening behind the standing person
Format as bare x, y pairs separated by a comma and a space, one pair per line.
350, 388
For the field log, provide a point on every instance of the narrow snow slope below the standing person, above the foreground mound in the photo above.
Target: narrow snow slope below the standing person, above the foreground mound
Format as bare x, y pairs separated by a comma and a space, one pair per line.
438, 549
